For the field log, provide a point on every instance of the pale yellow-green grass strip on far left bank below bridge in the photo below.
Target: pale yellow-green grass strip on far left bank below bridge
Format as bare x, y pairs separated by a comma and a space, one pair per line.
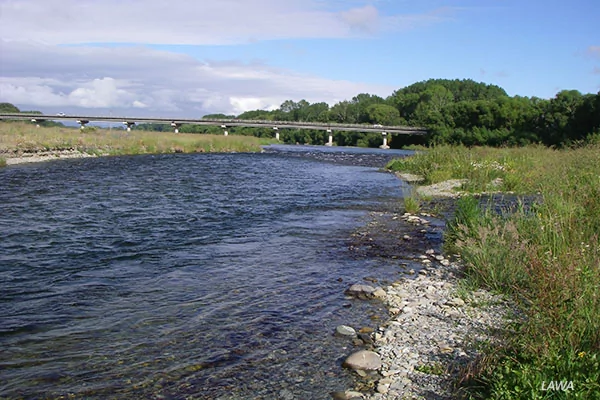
17, 138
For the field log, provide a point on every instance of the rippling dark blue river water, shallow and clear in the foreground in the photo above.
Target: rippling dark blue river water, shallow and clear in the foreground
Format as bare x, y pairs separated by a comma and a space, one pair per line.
211, 276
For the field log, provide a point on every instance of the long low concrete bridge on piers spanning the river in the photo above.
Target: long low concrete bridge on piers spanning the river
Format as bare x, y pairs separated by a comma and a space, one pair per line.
225, 124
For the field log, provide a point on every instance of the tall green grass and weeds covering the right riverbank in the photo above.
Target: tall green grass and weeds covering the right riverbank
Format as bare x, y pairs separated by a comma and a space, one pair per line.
544, 255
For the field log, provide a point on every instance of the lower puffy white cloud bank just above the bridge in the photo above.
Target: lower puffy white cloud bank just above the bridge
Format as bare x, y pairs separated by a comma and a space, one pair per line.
139, 79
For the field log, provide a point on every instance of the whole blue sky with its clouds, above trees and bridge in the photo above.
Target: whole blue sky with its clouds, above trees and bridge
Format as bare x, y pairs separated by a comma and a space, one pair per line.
188, 58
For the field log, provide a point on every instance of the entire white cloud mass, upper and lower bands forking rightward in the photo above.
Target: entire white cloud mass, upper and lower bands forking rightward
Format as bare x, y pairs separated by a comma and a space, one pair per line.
64, 53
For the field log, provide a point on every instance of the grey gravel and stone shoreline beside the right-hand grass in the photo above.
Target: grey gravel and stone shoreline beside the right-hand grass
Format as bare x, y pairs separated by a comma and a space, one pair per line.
436, 329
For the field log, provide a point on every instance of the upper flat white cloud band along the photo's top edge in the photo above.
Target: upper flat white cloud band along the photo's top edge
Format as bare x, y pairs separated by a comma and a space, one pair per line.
198, 22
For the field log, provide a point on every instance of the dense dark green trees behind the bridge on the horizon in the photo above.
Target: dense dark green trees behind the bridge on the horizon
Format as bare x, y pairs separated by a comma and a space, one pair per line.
454, 111
